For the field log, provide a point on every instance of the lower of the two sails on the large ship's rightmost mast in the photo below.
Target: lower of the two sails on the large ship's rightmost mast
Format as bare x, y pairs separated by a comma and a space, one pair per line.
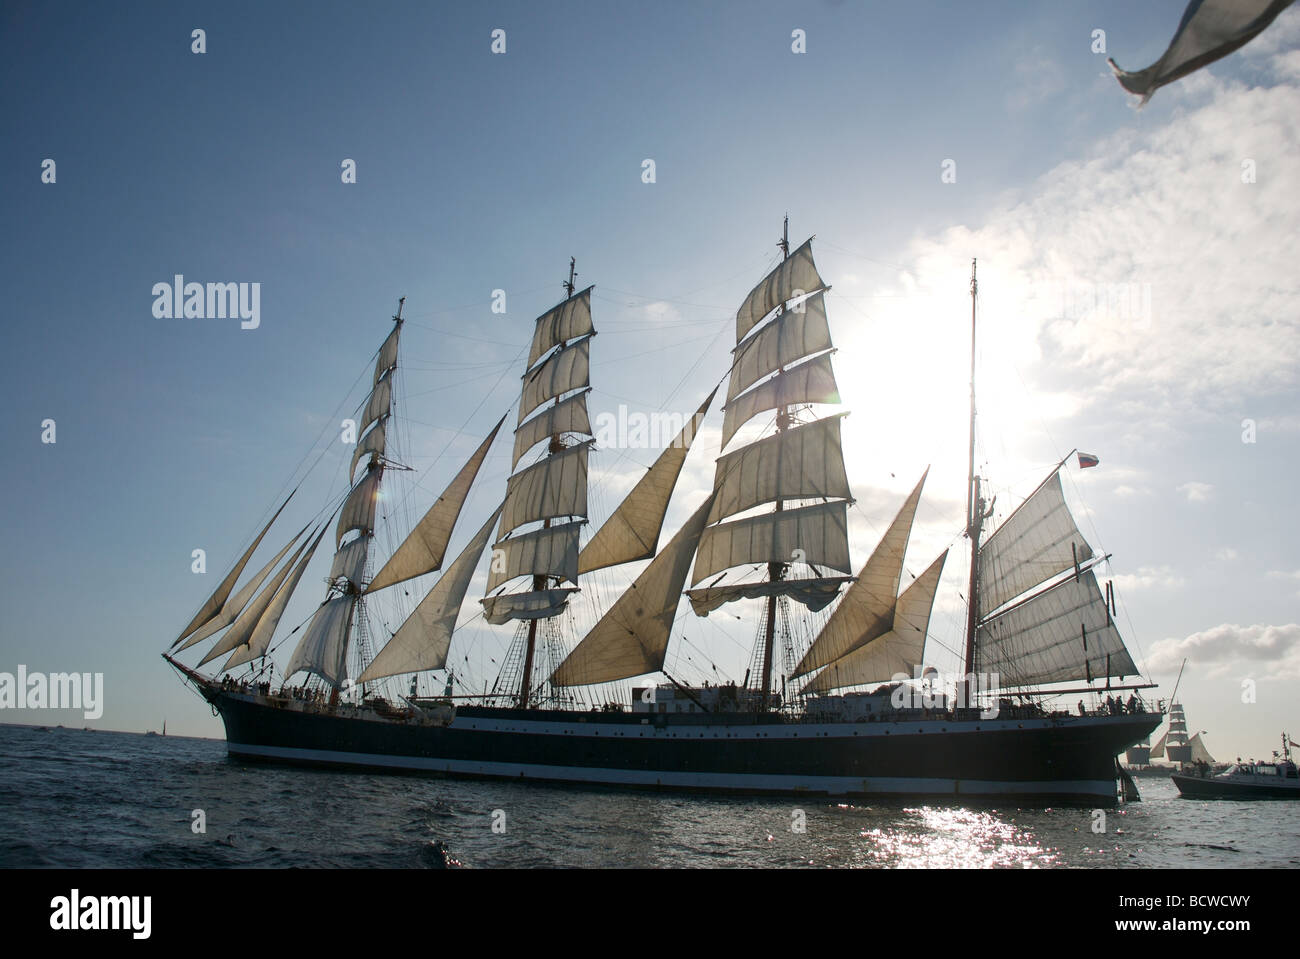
1061, 635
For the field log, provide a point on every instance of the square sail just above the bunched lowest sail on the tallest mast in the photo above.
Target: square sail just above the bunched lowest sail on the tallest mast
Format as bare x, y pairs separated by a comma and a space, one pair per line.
818, 533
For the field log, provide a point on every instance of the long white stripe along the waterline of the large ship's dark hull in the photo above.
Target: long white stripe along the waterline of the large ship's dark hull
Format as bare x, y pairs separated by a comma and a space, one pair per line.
829, 786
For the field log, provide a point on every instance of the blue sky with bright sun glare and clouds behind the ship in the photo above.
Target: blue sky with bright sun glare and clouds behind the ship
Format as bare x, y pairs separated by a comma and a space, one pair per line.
480, 172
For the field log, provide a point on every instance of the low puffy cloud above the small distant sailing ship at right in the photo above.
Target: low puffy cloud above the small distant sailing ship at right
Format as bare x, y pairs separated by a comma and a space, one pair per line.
1232, 649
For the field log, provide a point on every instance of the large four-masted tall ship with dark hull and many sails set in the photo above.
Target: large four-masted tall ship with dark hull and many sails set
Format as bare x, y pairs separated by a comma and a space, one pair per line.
837, 700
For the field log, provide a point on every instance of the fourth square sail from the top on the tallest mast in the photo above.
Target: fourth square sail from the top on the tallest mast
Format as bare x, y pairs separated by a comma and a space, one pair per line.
801, 463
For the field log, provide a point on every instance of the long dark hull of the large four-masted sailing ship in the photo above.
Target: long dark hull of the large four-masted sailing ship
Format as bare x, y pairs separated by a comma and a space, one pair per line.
1033, 761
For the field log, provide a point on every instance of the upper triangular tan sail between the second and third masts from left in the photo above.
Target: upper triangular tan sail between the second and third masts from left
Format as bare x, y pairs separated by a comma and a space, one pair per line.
632, 531
